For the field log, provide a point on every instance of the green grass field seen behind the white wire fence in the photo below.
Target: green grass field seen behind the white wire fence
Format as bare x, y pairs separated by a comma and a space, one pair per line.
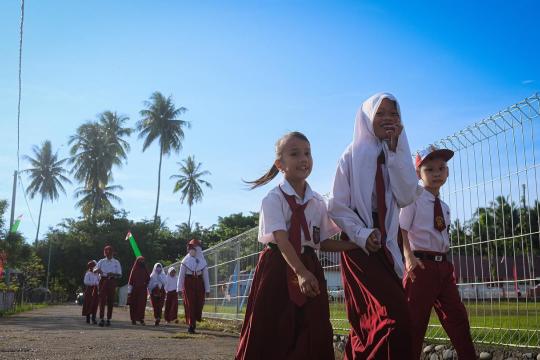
505, 322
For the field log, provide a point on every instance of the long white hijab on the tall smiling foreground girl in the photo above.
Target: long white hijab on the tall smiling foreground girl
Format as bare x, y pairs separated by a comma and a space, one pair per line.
366, 147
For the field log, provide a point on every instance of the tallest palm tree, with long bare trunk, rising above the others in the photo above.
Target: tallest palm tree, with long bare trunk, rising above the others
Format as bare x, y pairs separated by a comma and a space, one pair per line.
160, 122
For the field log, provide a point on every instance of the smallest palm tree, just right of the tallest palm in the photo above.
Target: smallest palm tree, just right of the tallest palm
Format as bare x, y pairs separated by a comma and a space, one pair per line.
189, 183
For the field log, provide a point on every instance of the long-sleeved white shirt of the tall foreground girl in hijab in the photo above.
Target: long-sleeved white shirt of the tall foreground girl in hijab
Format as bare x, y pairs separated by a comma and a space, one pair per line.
398, 191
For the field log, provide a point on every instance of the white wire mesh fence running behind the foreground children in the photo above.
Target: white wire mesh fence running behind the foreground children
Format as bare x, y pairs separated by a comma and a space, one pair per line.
492, 192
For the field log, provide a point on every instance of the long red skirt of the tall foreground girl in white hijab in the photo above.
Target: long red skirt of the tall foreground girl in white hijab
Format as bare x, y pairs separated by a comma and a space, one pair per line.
376, 308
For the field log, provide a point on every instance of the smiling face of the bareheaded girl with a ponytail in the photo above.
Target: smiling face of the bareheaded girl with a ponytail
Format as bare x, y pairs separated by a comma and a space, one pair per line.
295, 159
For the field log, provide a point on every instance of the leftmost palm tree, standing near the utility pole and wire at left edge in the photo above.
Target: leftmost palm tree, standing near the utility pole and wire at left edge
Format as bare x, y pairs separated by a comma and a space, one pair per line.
46, 176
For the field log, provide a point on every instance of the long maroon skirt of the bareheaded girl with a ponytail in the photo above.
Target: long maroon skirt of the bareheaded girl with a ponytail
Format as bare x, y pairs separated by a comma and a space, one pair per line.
274, 327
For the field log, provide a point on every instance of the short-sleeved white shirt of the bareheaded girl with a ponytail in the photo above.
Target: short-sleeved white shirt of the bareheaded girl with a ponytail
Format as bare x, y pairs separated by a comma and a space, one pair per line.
276, 215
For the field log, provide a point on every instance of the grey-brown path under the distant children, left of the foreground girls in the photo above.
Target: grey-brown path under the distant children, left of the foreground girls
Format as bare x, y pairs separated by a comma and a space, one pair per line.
61, 333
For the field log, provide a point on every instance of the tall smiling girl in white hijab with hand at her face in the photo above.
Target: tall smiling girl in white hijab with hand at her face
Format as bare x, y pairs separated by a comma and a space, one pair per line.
374, 178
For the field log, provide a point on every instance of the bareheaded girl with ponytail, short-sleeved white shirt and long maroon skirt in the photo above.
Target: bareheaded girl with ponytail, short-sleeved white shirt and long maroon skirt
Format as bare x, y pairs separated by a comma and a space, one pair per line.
287, 314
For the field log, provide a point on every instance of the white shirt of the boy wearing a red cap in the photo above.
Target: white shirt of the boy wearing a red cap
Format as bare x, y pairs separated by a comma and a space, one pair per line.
417, 220
